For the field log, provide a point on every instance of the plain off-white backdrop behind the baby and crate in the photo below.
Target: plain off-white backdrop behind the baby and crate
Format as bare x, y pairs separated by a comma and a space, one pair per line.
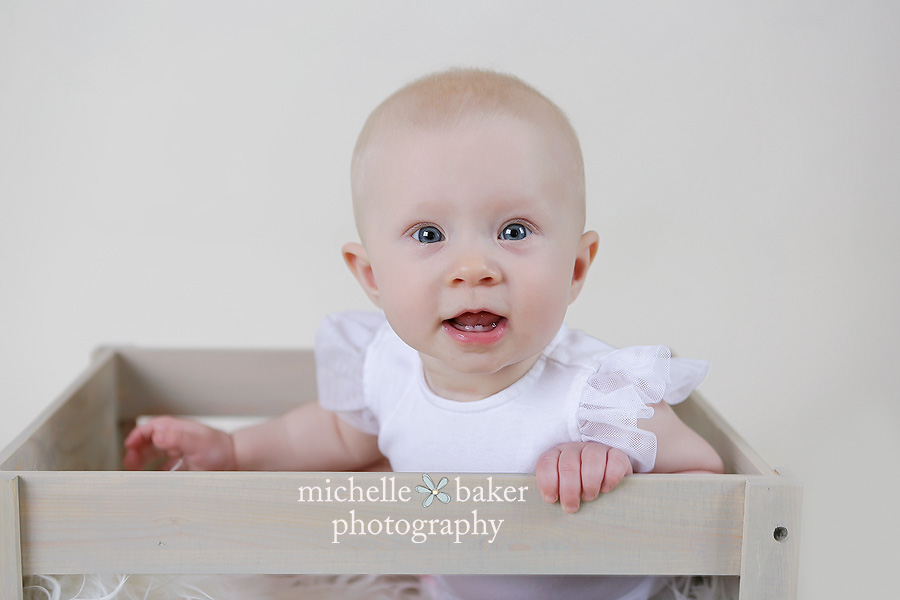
176, 174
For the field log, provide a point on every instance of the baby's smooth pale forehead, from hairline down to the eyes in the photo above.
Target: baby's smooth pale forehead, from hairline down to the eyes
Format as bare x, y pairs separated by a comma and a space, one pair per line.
497, 169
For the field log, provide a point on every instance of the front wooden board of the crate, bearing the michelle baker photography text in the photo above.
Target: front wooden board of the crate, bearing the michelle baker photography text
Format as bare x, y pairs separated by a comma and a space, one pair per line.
254, 523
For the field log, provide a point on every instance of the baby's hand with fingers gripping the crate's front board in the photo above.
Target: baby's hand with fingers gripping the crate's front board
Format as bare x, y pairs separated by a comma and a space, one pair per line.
577, 471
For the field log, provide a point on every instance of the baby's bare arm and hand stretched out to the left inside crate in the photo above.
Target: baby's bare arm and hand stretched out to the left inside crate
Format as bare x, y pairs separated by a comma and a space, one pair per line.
306, 438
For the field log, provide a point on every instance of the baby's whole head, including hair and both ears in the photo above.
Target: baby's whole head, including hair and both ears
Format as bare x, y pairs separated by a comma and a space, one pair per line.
468, 194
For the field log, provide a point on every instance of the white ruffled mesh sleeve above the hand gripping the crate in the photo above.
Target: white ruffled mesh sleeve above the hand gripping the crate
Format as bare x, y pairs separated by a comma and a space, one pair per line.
619, 392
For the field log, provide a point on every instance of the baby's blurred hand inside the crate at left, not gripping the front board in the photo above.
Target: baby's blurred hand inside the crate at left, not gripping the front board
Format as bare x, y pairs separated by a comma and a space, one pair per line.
167, 440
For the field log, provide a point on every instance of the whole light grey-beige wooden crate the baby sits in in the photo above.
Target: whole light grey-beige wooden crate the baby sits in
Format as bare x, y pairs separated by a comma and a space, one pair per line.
67, 508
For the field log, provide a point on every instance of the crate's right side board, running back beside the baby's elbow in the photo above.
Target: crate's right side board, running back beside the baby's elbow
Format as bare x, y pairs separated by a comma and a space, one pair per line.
738, 455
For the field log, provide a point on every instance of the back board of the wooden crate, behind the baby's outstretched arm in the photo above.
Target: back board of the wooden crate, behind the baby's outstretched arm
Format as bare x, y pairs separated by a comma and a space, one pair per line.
214, 382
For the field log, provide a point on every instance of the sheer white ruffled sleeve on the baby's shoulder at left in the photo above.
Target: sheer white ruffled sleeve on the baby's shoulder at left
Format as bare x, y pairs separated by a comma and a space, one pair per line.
341, 345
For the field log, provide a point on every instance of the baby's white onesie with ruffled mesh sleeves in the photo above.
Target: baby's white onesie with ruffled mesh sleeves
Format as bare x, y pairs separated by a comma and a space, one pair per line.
580, 389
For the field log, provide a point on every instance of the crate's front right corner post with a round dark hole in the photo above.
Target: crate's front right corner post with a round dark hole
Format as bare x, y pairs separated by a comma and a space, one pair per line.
769, 561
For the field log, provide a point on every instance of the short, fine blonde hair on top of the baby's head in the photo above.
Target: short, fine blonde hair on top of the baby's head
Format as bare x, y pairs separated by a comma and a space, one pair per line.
460, 96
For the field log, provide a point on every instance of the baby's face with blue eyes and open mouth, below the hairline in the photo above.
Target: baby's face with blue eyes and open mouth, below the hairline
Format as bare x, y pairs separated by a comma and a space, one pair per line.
474, 242
